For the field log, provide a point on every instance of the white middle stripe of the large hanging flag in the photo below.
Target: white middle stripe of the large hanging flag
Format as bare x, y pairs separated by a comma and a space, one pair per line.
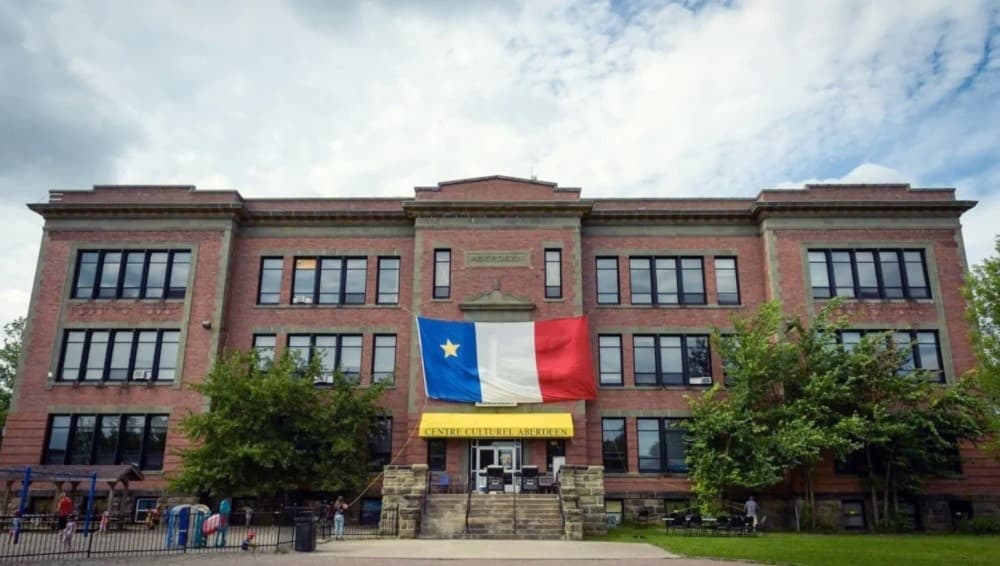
507, 369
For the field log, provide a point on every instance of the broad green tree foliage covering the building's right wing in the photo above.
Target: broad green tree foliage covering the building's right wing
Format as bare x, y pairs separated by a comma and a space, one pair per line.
795, 395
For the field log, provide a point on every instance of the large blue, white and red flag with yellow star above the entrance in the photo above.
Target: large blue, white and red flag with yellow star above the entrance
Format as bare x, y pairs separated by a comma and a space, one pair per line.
507, 362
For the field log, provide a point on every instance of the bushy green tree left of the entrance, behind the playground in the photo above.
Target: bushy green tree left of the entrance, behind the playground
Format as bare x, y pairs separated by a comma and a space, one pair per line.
270, 430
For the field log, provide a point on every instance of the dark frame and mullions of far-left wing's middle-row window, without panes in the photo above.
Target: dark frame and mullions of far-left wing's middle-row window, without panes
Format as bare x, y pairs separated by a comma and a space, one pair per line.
108, 363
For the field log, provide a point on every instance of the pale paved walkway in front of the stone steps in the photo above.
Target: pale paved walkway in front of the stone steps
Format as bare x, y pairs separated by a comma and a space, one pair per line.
431, 553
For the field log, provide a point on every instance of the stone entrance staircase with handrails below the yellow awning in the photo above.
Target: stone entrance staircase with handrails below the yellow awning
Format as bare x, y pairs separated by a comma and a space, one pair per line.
492, 516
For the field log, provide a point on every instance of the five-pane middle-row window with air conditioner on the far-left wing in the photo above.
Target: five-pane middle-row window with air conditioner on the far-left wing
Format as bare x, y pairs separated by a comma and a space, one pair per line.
119, 355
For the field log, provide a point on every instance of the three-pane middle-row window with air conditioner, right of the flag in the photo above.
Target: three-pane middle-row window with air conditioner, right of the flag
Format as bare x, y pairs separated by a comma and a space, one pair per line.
672, 360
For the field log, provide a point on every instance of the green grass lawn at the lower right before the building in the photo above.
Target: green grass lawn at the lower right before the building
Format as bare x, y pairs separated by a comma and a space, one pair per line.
825, 550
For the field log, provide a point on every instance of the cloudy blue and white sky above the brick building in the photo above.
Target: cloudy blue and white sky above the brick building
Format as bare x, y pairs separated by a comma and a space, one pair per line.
622, 98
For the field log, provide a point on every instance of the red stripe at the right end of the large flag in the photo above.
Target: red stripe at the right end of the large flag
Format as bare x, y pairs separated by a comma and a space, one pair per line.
562, 354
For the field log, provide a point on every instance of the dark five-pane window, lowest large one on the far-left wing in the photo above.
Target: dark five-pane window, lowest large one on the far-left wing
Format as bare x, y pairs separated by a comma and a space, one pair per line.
107, 440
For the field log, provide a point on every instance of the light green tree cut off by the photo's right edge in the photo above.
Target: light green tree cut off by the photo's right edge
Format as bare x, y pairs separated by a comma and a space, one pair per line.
982, 293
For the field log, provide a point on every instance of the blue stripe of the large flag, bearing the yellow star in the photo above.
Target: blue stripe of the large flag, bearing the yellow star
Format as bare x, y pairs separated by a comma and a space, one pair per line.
448, 352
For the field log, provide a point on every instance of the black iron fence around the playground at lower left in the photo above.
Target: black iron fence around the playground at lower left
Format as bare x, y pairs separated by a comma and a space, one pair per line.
39, 536
